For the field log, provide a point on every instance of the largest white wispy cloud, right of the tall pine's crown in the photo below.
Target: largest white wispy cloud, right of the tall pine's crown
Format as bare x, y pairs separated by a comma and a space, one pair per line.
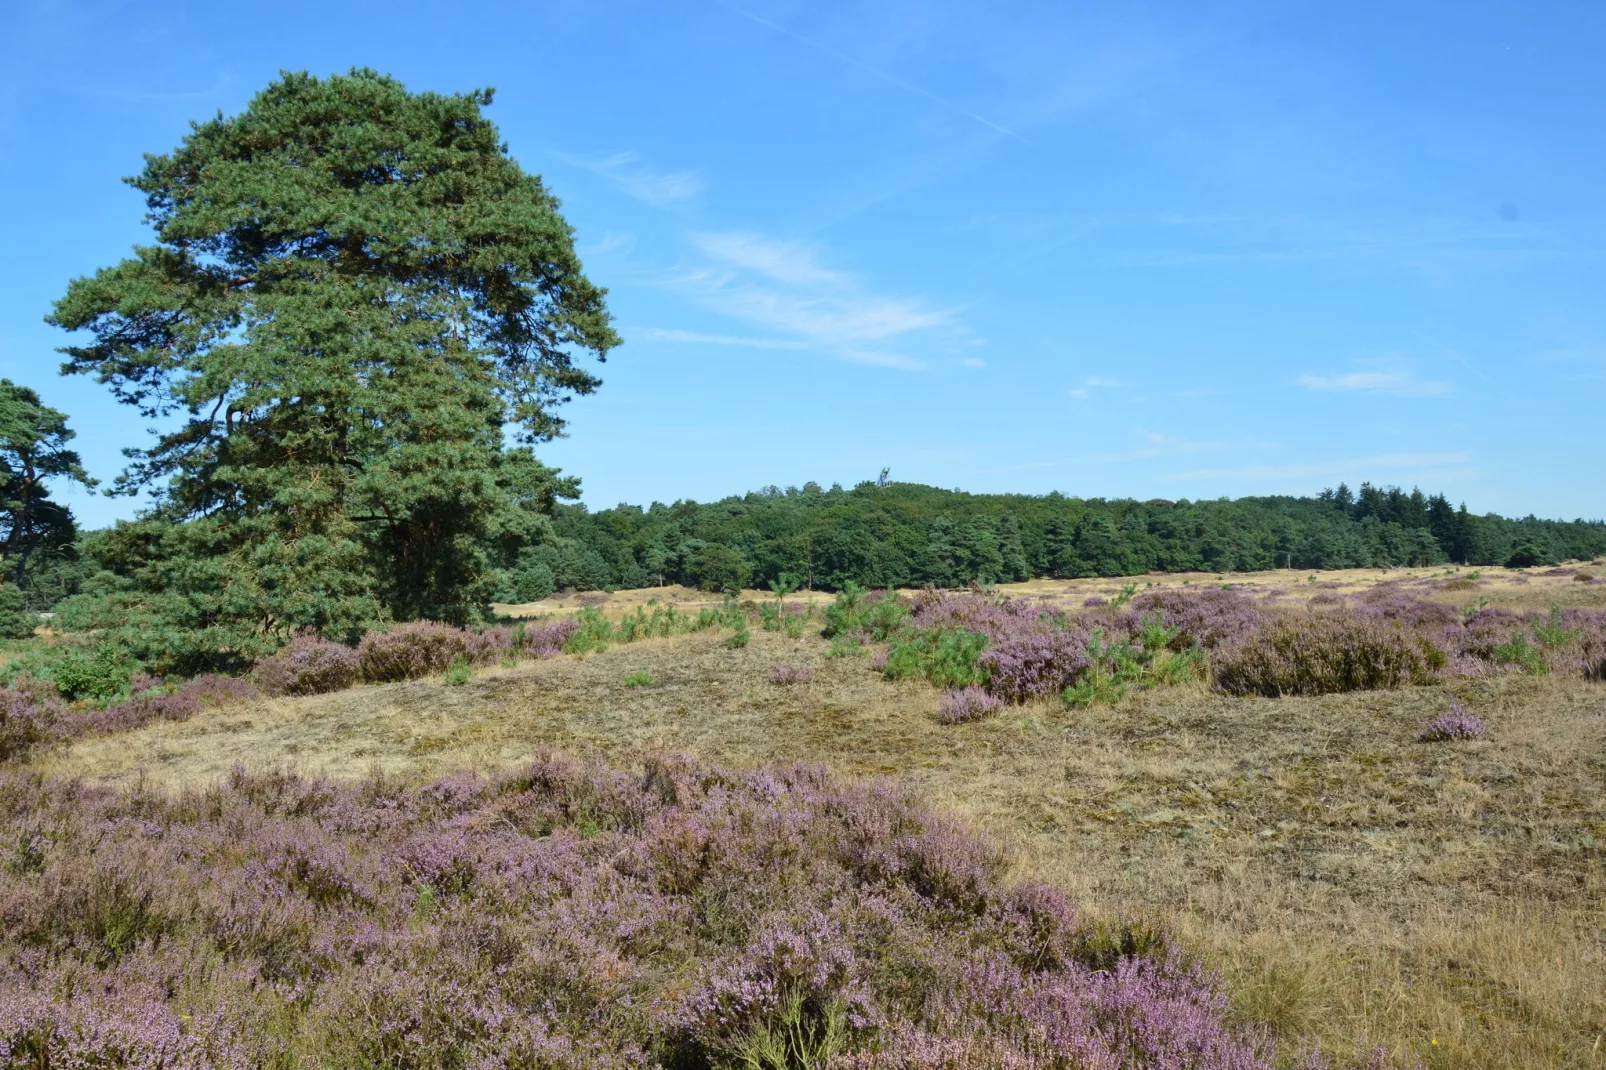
785, 287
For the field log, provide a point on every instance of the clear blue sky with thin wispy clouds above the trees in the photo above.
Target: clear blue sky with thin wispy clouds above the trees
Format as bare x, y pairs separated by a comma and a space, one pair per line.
1168, 250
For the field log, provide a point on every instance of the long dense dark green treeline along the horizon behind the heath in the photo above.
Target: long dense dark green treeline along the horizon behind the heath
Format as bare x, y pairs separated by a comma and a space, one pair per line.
907, 534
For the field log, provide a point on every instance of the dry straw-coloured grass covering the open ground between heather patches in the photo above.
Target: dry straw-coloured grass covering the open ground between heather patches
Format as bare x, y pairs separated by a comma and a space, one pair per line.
1356, 884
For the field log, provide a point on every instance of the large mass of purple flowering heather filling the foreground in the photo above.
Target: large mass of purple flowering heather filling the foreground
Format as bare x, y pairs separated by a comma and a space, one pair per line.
565, 917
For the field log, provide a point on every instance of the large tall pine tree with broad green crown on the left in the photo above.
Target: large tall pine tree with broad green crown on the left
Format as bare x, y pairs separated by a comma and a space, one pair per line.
354, 296
